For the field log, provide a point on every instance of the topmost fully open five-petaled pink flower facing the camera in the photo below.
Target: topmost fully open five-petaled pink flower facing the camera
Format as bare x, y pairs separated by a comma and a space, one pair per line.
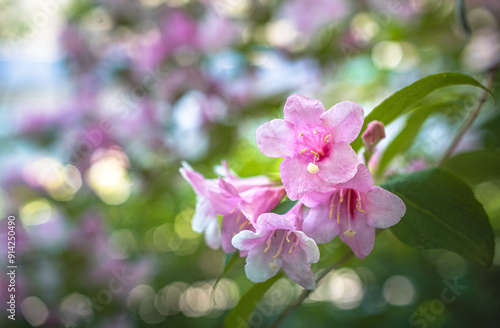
314, 143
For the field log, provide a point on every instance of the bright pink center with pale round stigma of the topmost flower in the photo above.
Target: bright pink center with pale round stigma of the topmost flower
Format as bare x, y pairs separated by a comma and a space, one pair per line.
313, 146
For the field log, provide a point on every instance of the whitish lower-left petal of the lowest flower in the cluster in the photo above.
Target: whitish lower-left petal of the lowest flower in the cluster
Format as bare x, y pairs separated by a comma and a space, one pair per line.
257, 267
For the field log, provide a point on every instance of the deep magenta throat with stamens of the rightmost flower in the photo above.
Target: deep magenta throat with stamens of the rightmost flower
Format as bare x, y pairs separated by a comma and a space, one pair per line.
351, 200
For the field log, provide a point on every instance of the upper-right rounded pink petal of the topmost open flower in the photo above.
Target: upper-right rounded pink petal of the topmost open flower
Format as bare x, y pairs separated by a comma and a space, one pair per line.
345, 120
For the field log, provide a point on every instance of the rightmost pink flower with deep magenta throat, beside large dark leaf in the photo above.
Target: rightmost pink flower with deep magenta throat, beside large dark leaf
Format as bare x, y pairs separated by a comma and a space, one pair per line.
353, 211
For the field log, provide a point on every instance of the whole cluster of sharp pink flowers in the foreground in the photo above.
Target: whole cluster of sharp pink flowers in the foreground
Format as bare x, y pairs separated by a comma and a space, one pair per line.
335, 194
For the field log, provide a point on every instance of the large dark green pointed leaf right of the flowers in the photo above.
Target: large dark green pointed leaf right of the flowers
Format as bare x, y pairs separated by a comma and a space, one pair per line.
442, 212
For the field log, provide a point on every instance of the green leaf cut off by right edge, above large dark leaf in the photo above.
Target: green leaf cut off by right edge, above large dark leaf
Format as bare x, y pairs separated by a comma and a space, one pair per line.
475, 167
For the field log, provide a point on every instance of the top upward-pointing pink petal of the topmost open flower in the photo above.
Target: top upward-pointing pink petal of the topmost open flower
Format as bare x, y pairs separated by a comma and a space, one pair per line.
301, 110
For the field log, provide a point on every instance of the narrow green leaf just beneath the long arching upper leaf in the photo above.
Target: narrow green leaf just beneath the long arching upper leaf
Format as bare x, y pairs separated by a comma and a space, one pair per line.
405, 138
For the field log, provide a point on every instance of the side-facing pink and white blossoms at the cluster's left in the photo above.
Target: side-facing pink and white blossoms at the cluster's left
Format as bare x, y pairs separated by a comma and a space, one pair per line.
239, 201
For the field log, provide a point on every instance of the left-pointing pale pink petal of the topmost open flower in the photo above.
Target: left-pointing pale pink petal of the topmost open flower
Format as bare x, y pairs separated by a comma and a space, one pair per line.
276, 138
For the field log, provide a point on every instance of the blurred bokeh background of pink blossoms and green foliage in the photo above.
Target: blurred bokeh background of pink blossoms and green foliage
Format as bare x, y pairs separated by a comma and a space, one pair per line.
101, 100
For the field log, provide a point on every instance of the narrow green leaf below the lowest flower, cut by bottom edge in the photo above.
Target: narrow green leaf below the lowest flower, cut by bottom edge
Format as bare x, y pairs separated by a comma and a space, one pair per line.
239, 316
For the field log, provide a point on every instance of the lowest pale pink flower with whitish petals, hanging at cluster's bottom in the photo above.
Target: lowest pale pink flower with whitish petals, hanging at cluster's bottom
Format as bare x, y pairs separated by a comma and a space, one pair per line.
278, 242
